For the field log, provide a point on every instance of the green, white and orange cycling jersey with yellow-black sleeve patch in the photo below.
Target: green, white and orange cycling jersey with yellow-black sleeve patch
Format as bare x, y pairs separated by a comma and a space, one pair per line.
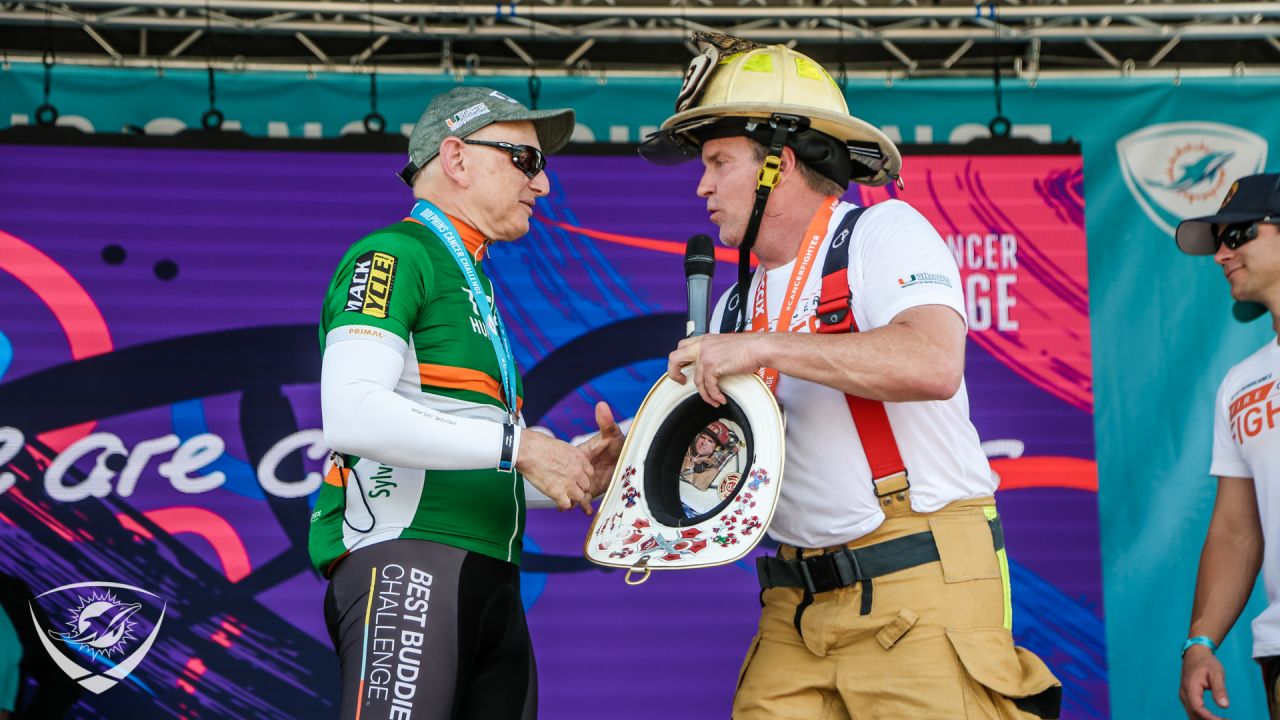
401, 281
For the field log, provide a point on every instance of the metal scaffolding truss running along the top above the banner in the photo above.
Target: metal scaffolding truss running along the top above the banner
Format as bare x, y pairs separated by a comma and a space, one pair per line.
856, 38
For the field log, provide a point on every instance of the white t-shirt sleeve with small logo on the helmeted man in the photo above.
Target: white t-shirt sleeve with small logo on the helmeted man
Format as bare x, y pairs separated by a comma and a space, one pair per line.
902, 263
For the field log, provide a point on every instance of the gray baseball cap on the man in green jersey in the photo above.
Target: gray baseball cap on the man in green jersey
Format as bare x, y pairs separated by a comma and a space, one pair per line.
467, 110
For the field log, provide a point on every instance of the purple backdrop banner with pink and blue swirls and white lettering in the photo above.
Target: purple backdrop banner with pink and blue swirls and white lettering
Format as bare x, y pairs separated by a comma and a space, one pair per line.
159, 414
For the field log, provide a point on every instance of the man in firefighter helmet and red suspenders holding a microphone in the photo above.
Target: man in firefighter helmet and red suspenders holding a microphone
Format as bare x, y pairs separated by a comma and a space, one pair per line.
890, 595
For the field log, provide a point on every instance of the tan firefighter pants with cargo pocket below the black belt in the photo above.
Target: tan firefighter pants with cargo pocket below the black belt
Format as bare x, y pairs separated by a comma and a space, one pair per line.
935, 646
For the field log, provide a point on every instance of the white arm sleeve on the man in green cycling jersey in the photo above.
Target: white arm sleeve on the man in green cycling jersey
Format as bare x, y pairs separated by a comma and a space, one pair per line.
363, 414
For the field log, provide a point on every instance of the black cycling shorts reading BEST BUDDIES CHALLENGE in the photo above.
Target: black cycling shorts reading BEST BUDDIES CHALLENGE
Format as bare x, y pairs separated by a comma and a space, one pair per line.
431, 632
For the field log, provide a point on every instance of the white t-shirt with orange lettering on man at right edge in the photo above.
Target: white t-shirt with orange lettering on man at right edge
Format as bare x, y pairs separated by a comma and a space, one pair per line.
1247, 445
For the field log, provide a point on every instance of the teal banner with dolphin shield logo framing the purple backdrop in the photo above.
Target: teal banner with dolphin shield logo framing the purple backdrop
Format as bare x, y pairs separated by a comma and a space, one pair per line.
1155, 152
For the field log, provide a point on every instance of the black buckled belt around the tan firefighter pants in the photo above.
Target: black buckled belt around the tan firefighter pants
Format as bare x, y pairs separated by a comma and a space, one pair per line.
847, 567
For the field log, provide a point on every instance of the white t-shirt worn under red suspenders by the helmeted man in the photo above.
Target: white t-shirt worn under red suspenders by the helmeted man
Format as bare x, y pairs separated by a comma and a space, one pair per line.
897, 261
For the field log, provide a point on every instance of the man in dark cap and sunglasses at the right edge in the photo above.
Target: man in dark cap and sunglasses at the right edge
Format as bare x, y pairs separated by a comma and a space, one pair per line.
1245, 239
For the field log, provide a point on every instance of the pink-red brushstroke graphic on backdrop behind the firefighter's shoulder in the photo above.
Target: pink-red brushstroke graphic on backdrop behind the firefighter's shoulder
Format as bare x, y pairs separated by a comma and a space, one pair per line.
1039, 250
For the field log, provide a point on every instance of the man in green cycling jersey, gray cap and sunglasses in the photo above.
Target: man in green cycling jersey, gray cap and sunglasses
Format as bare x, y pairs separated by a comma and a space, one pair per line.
420, 521
